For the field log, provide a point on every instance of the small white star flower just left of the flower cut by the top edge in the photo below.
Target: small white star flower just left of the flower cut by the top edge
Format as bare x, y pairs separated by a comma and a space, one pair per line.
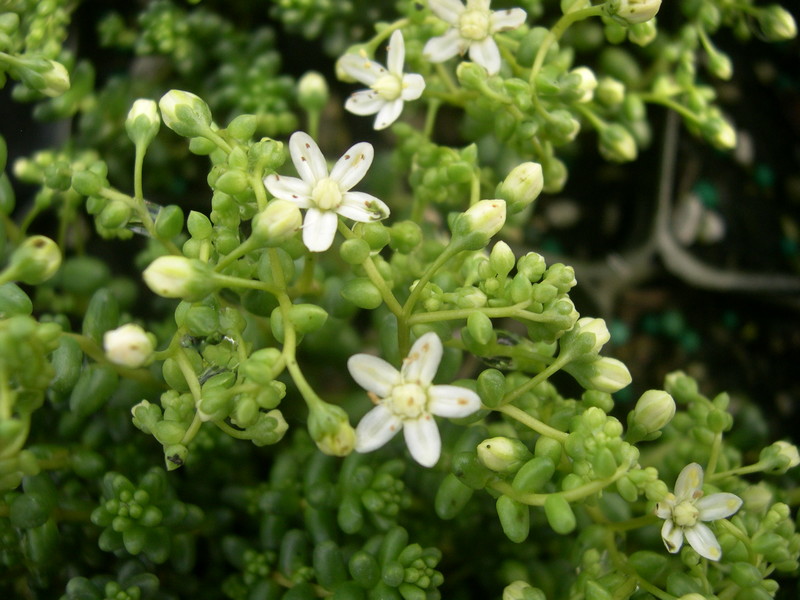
389, 87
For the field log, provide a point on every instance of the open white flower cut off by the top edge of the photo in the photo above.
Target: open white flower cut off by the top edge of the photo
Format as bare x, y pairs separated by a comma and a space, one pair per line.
472, 27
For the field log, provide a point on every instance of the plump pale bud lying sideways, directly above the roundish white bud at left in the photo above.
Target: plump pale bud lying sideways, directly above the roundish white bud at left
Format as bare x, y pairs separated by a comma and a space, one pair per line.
180, 277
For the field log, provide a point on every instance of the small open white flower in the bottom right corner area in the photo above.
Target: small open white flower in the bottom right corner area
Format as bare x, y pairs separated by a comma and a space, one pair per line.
686, 508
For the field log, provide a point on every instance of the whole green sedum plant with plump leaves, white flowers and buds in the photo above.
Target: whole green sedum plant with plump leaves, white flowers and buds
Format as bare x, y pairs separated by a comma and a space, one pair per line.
211, 335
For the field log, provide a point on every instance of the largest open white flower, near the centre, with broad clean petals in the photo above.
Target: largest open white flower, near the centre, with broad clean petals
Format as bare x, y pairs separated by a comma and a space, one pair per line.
406, 400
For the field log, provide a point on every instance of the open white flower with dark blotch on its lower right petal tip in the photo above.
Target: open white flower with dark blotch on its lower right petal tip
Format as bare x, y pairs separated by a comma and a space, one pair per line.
326, 196
